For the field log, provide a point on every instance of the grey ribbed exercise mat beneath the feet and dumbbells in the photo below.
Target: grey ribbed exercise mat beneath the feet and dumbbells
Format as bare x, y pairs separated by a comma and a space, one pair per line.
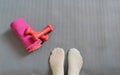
92, 26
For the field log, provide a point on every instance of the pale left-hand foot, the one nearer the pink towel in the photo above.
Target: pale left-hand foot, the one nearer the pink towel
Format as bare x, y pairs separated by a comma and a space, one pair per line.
57, 61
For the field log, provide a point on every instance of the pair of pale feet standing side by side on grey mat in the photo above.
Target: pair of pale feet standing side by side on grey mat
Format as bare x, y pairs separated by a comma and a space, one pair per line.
57, 61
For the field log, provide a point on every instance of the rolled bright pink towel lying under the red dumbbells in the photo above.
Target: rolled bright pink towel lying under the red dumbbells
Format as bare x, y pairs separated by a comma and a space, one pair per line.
19, 26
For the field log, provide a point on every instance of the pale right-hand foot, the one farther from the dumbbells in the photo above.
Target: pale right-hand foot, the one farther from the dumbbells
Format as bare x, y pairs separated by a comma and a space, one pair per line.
75, 62
